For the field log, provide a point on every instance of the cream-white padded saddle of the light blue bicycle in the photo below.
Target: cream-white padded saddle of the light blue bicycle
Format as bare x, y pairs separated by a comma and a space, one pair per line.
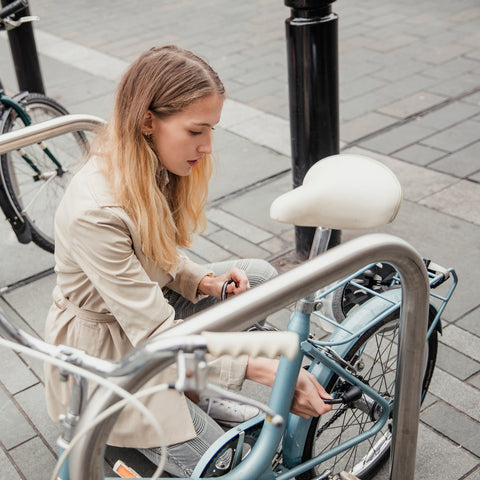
342, 192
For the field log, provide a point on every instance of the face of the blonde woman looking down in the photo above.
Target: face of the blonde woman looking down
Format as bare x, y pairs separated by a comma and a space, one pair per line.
181, 140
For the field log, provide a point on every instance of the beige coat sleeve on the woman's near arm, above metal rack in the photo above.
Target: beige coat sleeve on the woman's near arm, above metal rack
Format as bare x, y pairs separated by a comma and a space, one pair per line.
102, 247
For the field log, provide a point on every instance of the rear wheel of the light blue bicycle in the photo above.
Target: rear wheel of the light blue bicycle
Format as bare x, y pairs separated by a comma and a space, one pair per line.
375, 357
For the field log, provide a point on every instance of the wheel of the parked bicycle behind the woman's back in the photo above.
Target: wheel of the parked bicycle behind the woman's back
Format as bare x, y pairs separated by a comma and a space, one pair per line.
32, 180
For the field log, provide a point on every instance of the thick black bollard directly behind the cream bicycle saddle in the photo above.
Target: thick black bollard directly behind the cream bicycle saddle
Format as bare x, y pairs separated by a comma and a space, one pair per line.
312, 54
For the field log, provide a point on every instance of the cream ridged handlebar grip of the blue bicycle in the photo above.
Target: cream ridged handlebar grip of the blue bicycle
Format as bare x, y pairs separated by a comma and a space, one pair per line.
262, 344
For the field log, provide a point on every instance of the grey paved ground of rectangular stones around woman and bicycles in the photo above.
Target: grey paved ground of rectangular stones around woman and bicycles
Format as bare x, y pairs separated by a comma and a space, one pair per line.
409, 96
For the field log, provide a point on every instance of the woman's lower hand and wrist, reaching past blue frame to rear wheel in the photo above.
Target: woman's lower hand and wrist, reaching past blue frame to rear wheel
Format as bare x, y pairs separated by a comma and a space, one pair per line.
307, 399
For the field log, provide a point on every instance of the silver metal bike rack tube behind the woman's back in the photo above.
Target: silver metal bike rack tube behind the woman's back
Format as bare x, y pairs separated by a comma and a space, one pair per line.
48, 129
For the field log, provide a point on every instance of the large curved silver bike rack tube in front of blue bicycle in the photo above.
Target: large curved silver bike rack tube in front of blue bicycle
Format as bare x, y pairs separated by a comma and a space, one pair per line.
265, 299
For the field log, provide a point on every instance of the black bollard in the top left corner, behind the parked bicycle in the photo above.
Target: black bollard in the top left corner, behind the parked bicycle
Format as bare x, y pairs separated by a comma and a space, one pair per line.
24, 53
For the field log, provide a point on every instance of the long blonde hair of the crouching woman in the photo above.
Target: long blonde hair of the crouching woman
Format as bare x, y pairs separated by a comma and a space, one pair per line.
164, 80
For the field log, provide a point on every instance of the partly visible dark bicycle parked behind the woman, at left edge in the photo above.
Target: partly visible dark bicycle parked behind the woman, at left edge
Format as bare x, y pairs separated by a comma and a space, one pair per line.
33, 179
